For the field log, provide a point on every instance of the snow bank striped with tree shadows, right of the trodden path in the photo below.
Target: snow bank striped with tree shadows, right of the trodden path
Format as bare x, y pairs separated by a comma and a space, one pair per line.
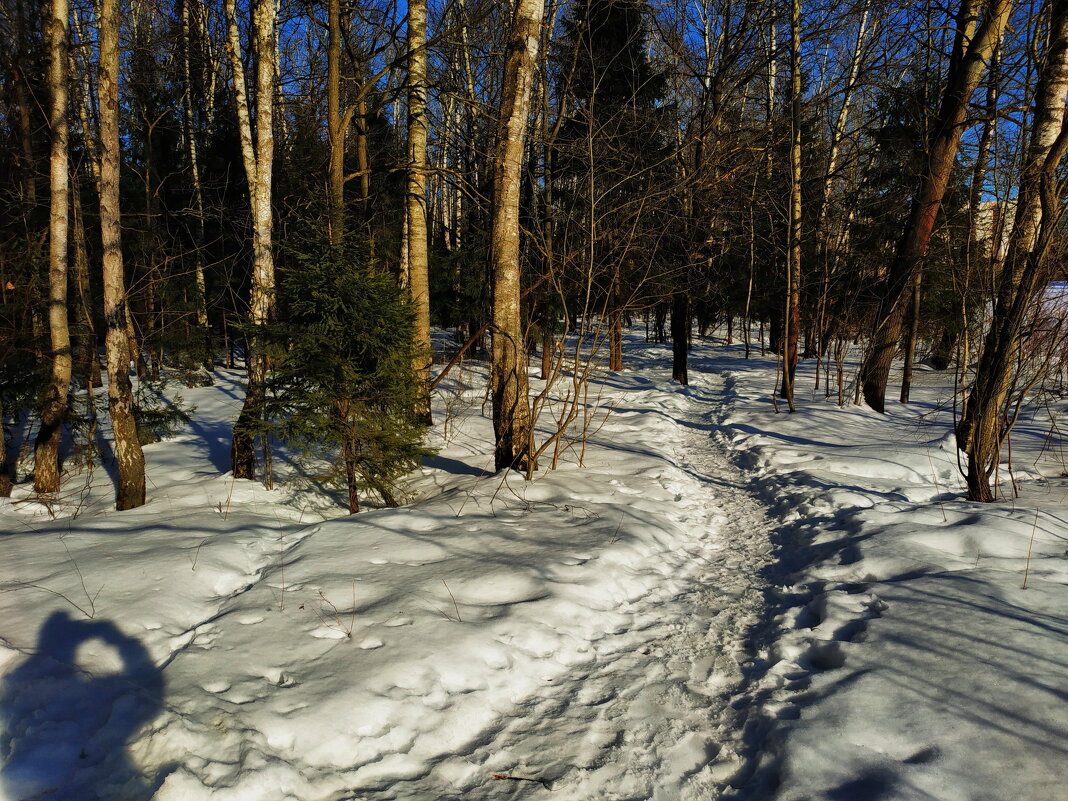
921, 648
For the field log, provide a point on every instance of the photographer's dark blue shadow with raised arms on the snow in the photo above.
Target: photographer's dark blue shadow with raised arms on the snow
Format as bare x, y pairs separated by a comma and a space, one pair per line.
66, 727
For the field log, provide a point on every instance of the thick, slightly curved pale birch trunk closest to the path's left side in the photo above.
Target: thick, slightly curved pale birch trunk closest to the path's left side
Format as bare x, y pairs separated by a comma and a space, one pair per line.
512, 416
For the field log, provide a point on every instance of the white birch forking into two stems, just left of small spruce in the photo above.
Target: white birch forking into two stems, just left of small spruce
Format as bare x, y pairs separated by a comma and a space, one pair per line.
259, 158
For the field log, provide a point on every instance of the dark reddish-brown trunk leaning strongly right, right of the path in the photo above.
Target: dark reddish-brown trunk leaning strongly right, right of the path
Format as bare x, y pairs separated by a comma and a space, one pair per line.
968, 62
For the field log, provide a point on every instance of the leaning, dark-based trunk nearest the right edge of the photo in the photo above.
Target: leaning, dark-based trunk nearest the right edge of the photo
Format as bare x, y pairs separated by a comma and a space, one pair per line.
987, 421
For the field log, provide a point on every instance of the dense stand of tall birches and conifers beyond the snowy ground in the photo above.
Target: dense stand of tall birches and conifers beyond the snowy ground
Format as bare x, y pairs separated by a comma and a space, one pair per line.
807, 175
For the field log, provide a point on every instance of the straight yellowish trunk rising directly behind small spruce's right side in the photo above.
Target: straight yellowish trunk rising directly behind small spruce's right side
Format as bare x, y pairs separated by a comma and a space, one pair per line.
416, 237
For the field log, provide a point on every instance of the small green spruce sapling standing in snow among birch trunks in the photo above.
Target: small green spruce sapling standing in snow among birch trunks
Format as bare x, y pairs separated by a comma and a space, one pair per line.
343, 384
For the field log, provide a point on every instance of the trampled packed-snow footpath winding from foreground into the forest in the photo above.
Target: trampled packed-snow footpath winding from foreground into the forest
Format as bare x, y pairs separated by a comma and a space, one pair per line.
658, 715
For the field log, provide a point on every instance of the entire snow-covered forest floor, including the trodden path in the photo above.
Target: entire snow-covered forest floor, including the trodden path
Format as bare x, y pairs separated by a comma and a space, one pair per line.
726, 601
